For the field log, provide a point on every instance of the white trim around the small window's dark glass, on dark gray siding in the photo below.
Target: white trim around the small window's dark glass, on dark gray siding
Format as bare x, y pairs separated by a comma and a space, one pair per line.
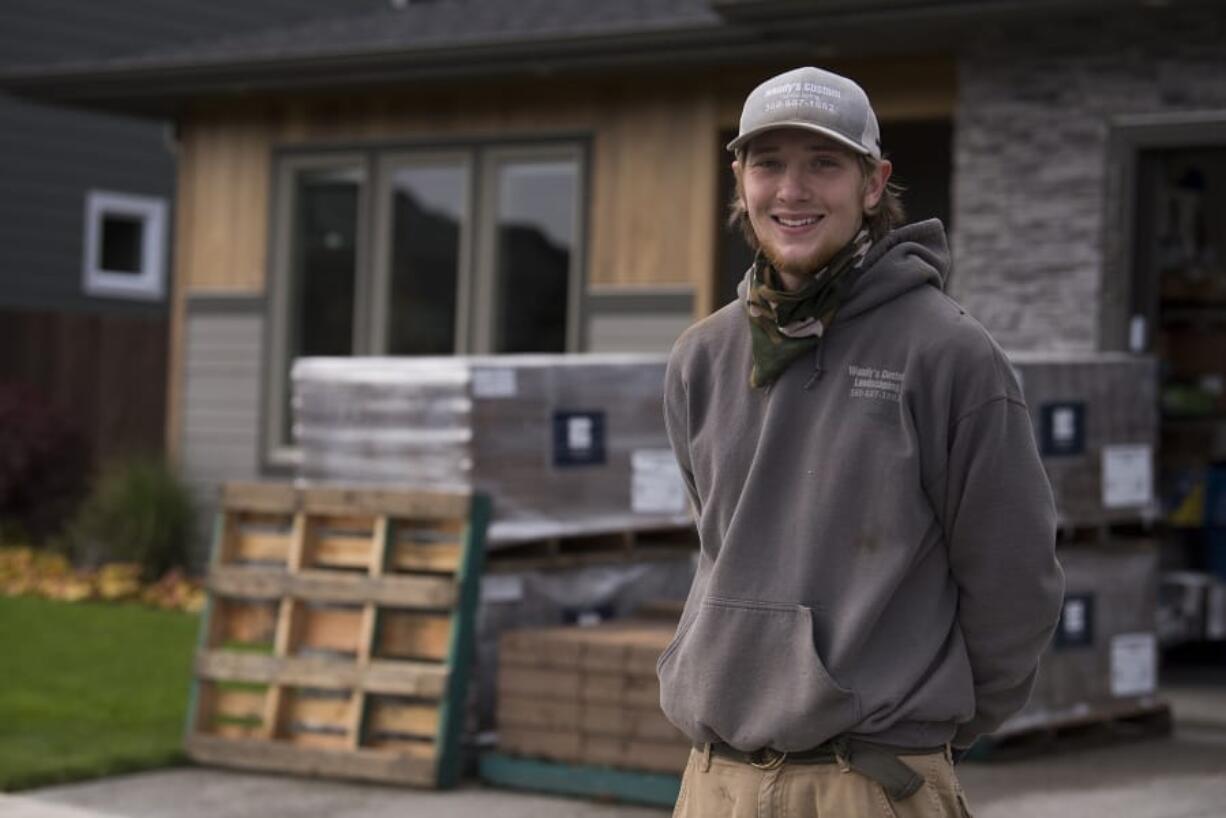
151, 212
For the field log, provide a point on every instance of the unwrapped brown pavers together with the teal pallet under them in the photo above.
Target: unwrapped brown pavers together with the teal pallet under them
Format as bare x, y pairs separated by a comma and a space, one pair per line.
579, 713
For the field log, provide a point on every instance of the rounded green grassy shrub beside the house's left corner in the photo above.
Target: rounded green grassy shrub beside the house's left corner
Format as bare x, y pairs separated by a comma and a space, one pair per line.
138, 512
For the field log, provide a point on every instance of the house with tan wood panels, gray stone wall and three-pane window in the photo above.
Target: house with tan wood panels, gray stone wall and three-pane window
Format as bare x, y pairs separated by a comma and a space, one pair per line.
411, 181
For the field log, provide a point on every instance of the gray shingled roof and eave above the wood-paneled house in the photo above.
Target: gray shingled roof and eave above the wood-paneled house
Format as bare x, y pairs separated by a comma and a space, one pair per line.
428, 40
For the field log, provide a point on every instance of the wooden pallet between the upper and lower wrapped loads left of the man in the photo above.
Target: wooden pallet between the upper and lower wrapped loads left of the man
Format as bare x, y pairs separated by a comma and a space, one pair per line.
612, 548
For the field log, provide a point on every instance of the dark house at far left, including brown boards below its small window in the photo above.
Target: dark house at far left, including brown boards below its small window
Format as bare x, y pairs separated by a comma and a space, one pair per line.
86, 201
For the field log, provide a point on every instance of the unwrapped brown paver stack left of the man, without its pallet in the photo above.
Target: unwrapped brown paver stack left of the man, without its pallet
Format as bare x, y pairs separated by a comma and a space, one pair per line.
588, 696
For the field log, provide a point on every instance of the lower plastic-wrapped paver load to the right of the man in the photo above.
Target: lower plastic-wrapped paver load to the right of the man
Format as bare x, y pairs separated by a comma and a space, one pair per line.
1105, 651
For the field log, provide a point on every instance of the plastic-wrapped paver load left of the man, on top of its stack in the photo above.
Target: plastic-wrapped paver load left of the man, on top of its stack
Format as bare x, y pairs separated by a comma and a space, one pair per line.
565, 445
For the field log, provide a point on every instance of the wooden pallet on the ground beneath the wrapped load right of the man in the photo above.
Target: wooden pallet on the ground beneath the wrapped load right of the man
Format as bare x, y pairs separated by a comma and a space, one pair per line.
1095, 725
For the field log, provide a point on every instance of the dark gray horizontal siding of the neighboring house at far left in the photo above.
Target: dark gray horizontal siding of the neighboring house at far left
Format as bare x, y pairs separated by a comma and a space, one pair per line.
51, 158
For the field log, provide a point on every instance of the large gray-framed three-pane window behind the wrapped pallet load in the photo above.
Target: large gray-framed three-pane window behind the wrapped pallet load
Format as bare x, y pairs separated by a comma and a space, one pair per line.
424, 253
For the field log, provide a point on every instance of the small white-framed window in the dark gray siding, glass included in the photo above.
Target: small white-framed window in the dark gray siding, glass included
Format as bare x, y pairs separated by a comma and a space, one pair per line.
124, 246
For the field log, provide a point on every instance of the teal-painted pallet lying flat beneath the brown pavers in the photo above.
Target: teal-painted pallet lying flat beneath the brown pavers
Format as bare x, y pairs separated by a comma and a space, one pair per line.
584, 781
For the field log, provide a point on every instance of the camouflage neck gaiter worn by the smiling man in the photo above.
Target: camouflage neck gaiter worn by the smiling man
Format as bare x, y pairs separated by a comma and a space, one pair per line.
786, 324
